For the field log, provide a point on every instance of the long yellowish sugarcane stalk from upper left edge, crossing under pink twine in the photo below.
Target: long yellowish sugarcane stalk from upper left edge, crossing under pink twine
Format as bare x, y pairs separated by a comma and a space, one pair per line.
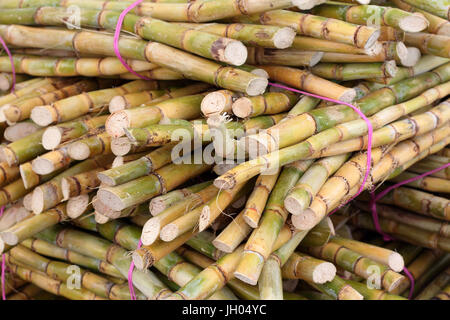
191, 66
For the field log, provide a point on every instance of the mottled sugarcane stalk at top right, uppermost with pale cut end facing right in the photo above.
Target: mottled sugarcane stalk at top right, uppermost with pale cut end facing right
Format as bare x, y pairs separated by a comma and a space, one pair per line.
366, 14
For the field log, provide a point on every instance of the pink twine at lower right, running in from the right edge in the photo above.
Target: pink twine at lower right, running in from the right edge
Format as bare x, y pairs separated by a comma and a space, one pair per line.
376, 222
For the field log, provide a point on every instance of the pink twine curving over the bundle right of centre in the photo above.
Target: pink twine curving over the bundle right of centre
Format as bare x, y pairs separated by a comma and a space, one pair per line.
369, 139
